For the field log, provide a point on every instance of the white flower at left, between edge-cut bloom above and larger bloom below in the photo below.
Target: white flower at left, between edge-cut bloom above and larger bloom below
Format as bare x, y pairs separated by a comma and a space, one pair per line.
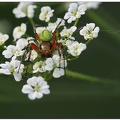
12, 51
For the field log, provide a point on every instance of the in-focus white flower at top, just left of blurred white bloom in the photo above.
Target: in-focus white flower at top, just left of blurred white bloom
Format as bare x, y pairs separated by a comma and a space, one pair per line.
75, 12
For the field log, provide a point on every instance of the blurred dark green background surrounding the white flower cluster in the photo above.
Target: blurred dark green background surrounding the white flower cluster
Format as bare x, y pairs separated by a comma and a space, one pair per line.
71, 97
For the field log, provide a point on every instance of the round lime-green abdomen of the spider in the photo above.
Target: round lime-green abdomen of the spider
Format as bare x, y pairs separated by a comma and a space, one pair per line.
46, 35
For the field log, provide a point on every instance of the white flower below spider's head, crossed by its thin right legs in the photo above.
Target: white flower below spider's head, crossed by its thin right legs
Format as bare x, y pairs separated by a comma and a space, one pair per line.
56, 63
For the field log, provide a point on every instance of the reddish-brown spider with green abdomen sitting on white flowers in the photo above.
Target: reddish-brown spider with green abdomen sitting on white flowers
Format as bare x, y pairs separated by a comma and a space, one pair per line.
46, 46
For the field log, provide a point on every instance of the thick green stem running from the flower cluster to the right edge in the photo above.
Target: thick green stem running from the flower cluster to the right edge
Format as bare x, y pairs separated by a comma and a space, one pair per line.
92, 78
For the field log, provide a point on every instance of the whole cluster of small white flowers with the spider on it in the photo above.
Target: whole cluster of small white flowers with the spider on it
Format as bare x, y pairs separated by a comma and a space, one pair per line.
48, 52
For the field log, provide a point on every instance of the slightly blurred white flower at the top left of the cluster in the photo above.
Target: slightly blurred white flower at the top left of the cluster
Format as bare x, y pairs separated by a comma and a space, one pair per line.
24, 9
